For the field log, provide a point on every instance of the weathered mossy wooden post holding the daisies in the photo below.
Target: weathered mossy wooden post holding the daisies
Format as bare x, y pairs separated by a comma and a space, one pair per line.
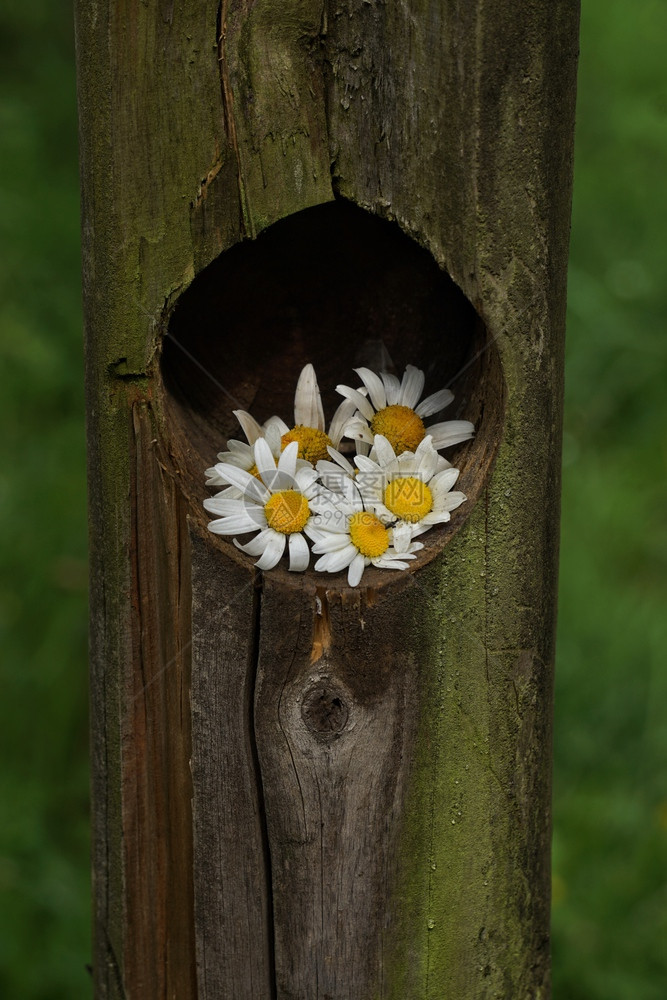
300, 790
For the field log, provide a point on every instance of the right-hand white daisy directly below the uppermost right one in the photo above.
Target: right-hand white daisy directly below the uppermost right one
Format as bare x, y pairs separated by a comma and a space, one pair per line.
407, 490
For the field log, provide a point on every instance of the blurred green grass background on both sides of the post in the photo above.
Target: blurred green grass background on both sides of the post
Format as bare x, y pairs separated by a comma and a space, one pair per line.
610, 840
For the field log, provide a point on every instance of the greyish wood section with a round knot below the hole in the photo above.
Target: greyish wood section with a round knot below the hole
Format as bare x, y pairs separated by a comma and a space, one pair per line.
336, 713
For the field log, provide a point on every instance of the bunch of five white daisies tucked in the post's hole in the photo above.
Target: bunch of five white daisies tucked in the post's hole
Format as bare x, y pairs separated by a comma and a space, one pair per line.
295, 489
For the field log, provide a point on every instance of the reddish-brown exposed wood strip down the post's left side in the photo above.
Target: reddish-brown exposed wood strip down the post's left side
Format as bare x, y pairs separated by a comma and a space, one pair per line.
157, 790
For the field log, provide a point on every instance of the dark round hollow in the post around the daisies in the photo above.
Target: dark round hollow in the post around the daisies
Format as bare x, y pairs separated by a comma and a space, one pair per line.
338, 287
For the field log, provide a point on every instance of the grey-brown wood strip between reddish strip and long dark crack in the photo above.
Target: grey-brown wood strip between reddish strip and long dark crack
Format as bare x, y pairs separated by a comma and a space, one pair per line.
232, 895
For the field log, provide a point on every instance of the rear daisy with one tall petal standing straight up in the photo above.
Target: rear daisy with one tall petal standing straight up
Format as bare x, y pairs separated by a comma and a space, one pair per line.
309, 429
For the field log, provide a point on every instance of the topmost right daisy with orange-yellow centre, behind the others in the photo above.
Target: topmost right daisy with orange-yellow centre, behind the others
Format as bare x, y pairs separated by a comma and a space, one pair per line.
392, 409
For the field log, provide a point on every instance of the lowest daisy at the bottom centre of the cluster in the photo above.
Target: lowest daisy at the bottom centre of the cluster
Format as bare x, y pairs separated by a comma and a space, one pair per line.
347, 536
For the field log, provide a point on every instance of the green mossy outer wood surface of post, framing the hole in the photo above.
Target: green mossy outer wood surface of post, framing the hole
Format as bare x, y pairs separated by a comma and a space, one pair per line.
456, 121
